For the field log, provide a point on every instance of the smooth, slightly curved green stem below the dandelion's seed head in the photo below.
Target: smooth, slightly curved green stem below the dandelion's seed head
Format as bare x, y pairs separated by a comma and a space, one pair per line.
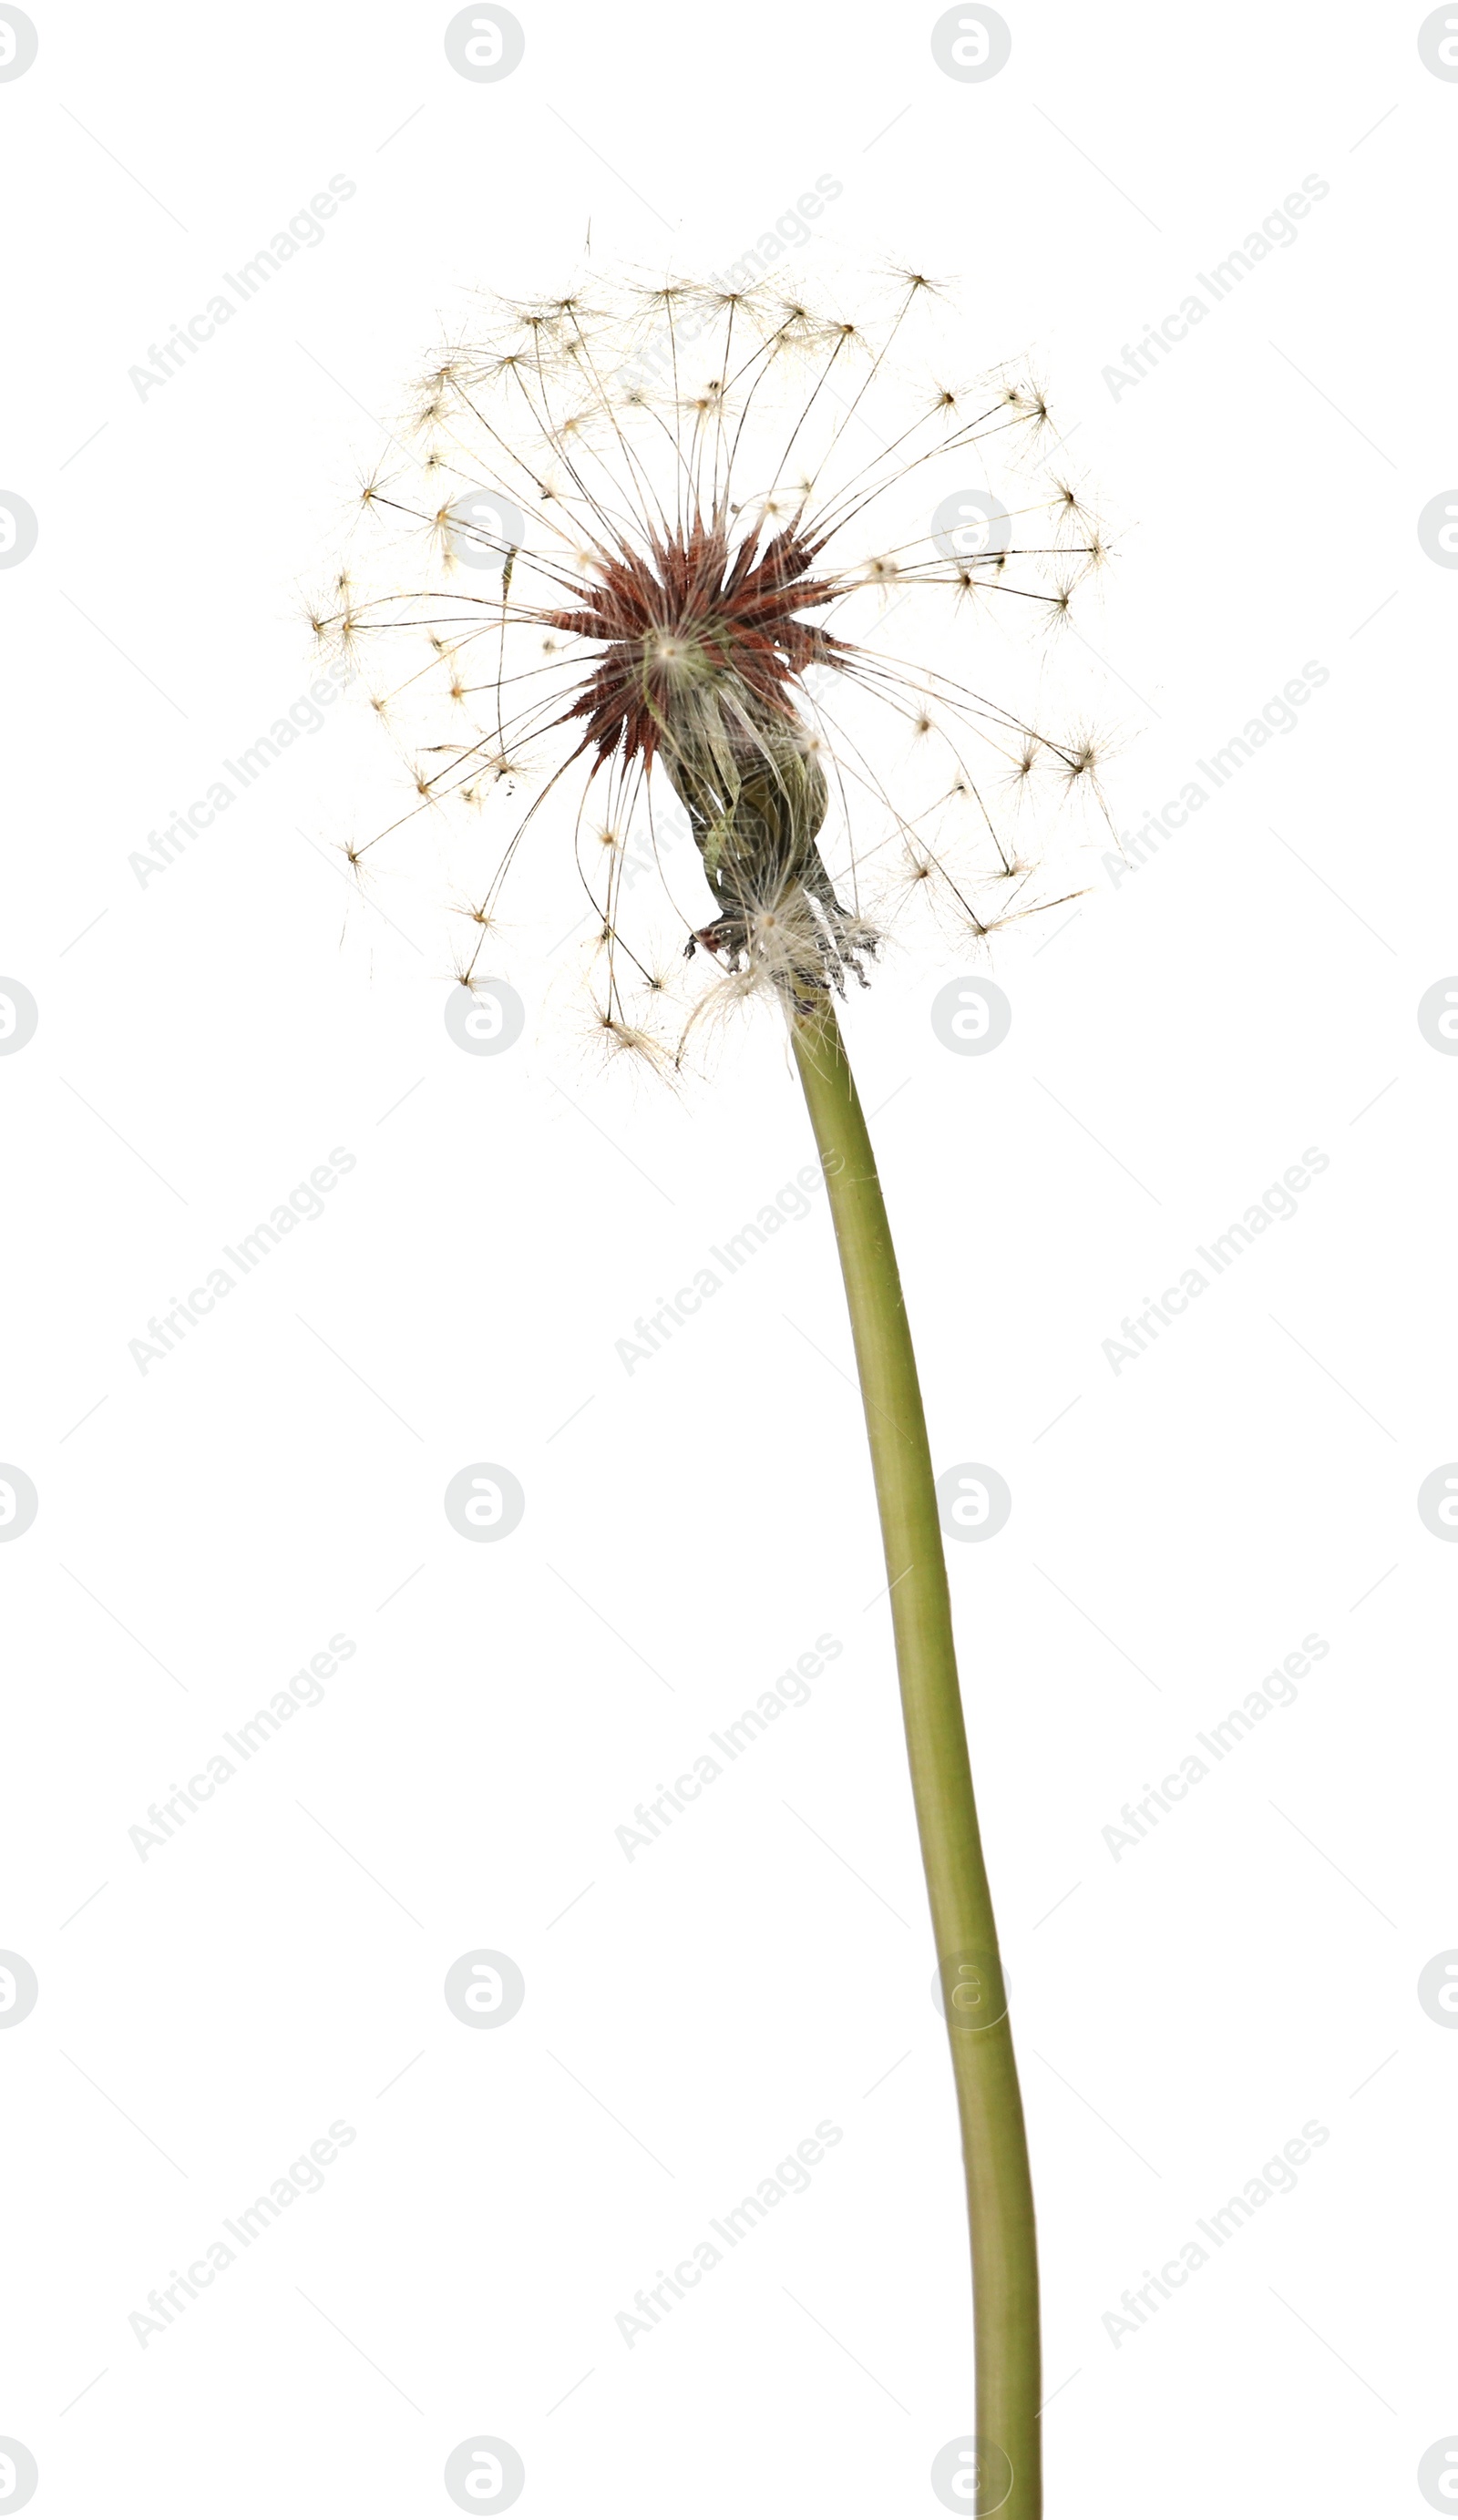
988, 2095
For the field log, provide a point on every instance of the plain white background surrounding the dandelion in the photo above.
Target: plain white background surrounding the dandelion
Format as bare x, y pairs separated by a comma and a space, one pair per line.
208, 1039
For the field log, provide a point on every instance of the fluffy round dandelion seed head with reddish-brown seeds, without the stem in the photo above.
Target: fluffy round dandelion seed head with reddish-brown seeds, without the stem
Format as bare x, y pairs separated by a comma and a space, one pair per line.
715, 669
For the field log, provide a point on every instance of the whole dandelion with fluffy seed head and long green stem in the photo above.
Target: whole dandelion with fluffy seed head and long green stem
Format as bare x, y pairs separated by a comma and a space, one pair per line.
718, 566
